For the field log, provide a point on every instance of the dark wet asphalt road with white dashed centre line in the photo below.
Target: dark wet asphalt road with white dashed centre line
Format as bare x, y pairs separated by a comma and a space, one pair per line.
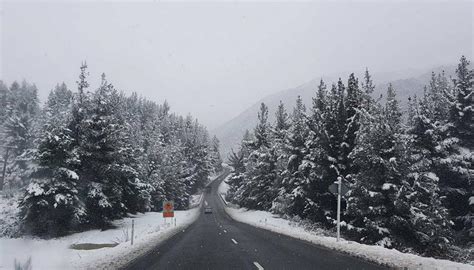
215, 241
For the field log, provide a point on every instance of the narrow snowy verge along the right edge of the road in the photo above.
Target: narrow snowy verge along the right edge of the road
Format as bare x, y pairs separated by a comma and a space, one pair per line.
389, 257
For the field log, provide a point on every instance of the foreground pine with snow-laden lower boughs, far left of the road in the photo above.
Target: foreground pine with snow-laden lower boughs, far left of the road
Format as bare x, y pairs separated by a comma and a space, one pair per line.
51, 205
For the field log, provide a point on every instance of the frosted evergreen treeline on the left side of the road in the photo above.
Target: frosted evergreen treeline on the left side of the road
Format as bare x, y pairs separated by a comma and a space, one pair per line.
91, 156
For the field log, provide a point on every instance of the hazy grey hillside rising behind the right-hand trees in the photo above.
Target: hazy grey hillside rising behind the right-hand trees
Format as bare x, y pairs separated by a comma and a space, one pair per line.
406, 83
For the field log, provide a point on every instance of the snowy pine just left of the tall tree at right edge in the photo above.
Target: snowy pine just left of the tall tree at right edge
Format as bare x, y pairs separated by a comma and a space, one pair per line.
426, 227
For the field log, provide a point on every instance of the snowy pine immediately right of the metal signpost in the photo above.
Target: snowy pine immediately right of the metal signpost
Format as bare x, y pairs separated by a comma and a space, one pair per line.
380, 155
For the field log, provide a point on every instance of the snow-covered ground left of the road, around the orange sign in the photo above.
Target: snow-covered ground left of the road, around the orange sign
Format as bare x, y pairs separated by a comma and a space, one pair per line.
150, 228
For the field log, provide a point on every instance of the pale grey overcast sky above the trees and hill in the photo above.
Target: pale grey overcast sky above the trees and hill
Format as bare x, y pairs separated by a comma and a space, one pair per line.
213, 60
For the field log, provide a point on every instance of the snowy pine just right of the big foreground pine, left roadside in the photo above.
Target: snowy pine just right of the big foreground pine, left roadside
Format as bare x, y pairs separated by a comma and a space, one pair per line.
108, 164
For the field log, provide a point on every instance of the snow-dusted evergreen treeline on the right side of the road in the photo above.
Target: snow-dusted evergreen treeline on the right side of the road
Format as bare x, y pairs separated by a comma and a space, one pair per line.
410, 176
